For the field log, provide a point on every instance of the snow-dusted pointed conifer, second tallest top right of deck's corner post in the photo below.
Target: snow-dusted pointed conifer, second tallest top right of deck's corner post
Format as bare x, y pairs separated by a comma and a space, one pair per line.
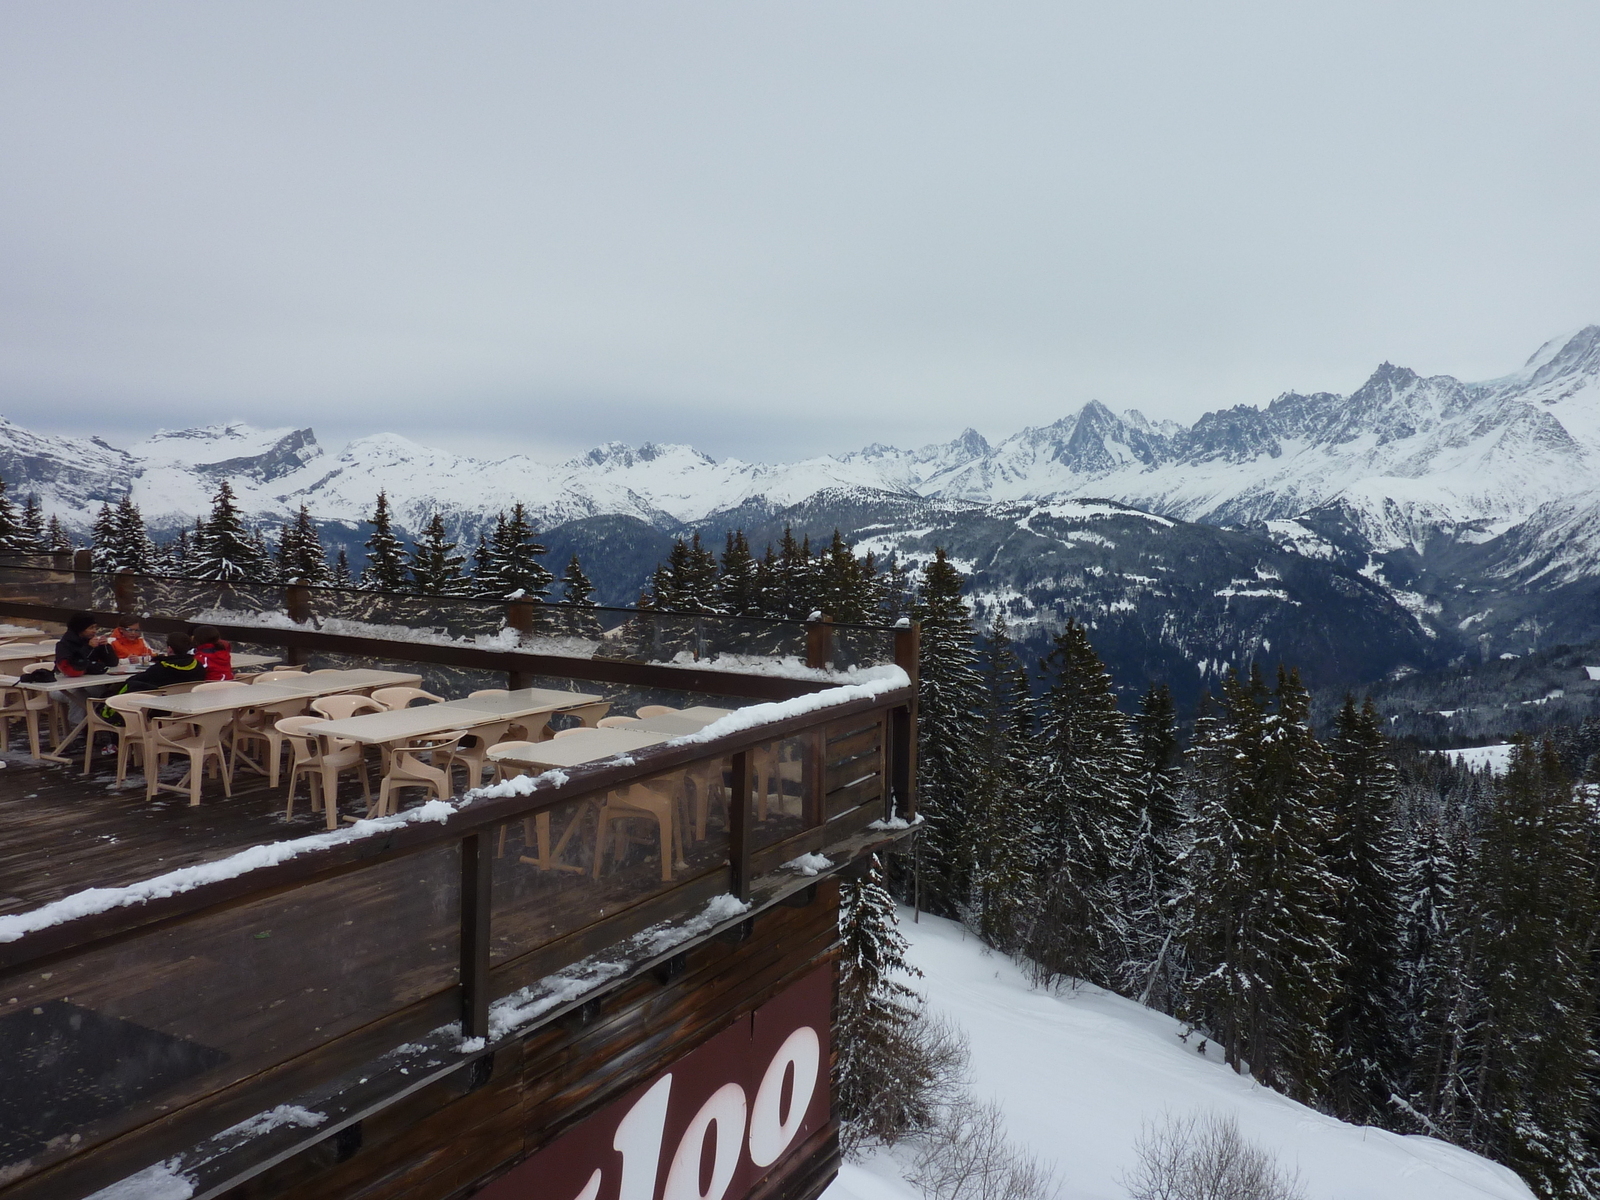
1087, 802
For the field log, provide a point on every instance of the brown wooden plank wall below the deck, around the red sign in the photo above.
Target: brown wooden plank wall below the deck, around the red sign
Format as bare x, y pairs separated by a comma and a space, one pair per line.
447, 1142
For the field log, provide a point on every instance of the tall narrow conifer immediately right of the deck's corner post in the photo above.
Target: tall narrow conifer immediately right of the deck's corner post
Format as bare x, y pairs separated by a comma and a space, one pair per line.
948, 716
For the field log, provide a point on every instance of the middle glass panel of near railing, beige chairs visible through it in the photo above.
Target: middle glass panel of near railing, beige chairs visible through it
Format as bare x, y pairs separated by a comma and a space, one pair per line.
582, 862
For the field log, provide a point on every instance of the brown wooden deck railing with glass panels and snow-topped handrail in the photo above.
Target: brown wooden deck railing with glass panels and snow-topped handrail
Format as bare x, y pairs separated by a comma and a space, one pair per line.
247, 991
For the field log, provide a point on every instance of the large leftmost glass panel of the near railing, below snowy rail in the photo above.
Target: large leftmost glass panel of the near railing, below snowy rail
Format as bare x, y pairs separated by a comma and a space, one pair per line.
118, 1036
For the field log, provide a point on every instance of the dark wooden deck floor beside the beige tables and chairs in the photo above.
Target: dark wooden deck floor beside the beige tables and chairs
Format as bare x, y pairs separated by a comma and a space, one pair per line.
63, 831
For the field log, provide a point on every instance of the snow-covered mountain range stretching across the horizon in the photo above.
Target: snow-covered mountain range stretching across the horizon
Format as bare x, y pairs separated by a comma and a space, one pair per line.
1470, 510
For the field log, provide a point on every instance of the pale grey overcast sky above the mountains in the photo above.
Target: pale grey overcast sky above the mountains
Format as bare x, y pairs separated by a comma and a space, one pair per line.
775, 230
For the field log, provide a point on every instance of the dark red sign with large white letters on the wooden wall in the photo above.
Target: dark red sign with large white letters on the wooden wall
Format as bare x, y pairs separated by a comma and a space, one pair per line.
711, 1126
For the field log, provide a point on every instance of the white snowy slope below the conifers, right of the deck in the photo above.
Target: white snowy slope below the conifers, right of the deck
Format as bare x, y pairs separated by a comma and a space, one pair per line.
1078, 1073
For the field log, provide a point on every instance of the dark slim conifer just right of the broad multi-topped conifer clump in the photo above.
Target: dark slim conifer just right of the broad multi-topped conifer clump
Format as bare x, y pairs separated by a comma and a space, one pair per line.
1366, 855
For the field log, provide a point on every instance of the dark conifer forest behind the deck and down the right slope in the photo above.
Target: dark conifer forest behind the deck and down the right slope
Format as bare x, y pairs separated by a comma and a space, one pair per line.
1354, 922
